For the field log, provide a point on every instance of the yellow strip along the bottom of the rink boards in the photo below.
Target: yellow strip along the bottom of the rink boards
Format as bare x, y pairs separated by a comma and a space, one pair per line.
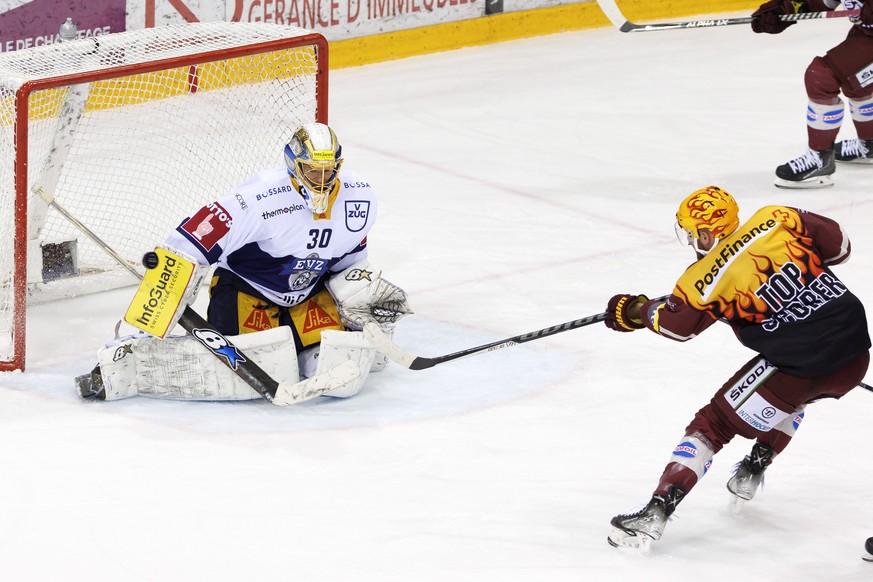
385, 47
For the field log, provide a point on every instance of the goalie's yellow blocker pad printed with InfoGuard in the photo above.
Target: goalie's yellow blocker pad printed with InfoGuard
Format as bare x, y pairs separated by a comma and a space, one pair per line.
164, 293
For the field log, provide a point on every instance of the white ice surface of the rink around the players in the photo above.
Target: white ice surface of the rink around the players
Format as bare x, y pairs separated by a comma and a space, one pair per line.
521, 185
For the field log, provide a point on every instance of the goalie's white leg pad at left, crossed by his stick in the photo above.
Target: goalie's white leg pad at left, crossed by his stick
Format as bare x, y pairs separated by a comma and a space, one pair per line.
181, 368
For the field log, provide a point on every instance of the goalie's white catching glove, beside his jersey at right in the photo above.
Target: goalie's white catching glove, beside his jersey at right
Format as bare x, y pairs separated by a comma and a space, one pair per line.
363, 296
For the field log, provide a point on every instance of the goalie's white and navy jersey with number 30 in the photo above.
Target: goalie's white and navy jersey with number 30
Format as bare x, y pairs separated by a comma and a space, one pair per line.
263, 232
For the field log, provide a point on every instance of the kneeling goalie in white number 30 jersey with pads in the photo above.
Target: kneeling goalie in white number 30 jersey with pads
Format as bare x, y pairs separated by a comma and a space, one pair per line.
291, 288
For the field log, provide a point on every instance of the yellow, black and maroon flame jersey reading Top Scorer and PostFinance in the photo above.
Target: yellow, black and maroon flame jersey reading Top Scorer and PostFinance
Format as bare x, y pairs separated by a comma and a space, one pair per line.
771, 281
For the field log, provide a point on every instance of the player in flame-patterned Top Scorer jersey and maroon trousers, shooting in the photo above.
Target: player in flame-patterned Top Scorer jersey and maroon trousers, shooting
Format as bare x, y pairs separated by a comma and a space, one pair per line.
770, 279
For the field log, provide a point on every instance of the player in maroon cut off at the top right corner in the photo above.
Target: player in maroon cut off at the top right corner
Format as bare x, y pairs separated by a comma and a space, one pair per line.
846, 68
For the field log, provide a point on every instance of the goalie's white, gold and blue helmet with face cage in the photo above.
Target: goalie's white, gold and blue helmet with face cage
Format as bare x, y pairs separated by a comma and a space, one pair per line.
314, 157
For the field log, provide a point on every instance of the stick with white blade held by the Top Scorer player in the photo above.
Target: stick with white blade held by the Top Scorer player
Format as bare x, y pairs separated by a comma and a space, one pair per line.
383, 342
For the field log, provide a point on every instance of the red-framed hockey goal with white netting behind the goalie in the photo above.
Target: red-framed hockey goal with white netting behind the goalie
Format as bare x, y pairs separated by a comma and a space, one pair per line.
130, 133
